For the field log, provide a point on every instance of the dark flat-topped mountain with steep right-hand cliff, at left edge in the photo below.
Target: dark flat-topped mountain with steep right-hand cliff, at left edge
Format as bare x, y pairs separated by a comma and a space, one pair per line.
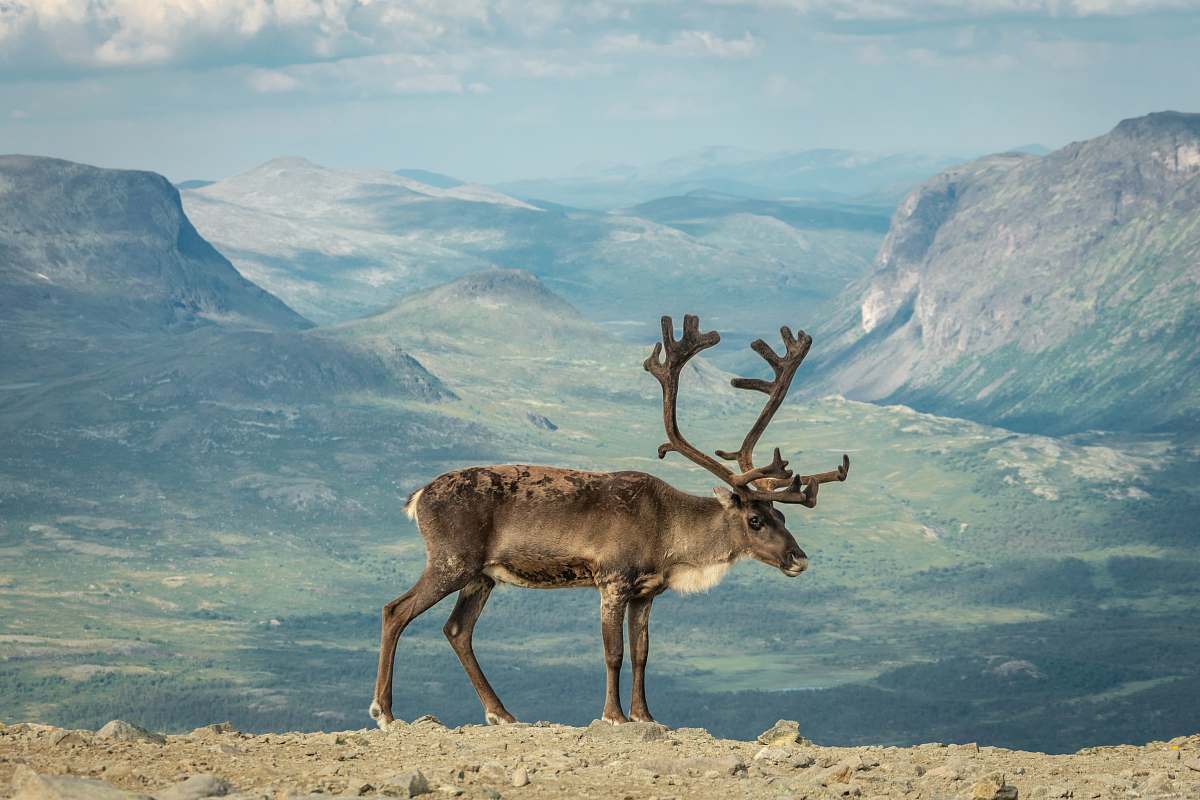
109, 250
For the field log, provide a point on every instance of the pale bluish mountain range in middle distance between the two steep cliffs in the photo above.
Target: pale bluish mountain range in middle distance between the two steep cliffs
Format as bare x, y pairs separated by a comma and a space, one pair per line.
340, 245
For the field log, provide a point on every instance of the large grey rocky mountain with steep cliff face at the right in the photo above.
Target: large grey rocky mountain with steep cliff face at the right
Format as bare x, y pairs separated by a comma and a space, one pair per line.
1054, 293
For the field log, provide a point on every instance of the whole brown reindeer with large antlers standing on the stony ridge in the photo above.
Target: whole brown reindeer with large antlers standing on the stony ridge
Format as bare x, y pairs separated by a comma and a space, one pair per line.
628, 534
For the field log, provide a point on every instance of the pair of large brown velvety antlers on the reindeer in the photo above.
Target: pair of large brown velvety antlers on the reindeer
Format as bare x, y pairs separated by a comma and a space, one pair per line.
773, 483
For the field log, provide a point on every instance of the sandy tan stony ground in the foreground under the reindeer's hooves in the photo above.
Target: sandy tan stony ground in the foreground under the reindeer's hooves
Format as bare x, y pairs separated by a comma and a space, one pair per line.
631, 762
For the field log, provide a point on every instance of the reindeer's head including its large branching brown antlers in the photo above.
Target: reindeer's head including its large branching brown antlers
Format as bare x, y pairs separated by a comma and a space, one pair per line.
752, 495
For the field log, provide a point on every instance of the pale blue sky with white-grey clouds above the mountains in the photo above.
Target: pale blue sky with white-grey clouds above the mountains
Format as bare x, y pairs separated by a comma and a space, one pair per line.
494, 91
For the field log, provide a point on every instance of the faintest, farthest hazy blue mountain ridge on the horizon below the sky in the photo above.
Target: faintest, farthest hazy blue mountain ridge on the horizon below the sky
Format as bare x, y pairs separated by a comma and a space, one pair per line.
821, 175
